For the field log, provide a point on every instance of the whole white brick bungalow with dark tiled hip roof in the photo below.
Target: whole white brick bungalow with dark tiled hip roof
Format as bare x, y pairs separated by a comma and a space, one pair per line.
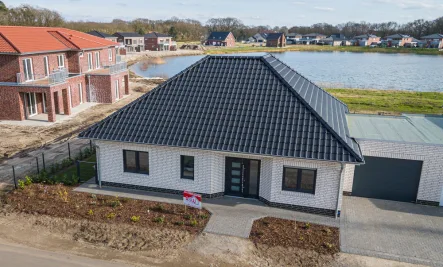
284, 140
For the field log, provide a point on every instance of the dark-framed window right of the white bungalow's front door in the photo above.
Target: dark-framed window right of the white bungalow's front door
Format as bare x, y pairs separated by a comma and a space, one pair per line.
299, 180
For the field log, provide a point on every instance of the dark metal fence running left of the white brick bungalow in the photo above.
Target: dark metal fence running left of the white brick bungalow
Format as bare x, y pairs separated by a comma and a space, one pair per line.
53, 163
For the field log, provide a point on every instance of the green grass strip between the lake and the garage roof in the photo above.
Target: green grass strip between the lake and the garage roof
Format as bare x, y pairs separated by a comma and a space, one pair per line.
390, 102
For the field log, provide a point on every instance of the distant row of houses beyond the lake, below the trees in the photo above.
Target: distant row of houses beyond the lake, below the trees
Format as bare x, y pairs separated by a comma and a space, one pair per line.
154, 41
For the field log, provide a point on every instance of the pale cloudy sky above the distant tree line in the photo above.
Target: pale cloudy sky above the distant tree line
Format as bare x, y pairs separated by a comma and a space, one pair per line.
251, 12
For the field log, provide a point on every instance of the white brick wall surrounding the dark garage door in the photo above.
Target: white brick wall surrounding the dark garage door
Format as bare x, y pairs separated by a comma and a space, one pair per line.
431, 180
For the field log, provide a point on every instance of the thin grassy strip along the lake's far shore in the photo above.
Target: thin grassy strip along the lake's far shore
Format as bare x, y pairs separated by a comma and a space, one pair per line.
241, 48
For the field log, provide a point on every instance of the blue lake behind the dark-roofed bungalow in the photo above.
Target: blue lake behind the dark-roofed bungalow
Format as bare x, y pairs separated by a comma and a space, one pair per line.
336, 69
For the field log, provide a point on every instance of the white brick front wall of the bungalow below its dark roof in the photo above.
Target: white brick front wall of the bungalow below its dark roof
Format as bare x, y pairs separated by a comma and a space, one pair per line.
164, 164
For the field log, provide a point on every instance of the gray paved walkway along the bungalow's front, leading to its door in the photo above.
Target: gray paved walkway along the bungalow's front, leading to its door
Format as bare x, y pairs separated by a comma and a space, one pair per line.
230, 216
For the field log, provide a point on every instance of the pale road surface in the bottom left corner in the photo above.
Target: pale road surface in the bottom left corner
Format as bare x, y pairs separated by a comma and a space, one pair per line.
13, 255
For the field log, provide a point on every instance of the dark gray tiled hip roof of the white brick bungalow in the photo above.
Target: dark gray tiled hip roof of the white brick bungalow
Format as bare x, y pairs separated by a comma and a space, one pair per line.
253, 105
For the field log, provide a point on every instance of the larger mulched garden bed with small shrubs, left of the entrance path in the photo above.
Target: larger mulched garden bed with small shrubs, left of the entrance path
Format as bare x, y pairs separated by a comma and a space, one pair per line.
61, 201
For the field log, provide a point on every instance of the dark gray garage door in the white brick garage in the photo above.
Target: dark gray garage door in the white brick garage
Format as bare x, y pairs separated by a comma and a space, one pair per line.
386, 178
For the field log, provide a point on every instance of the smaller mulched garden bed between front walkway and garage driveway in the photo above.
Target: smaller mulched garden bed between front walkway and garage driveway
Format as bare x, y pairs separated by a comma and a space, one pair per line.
287, 233
